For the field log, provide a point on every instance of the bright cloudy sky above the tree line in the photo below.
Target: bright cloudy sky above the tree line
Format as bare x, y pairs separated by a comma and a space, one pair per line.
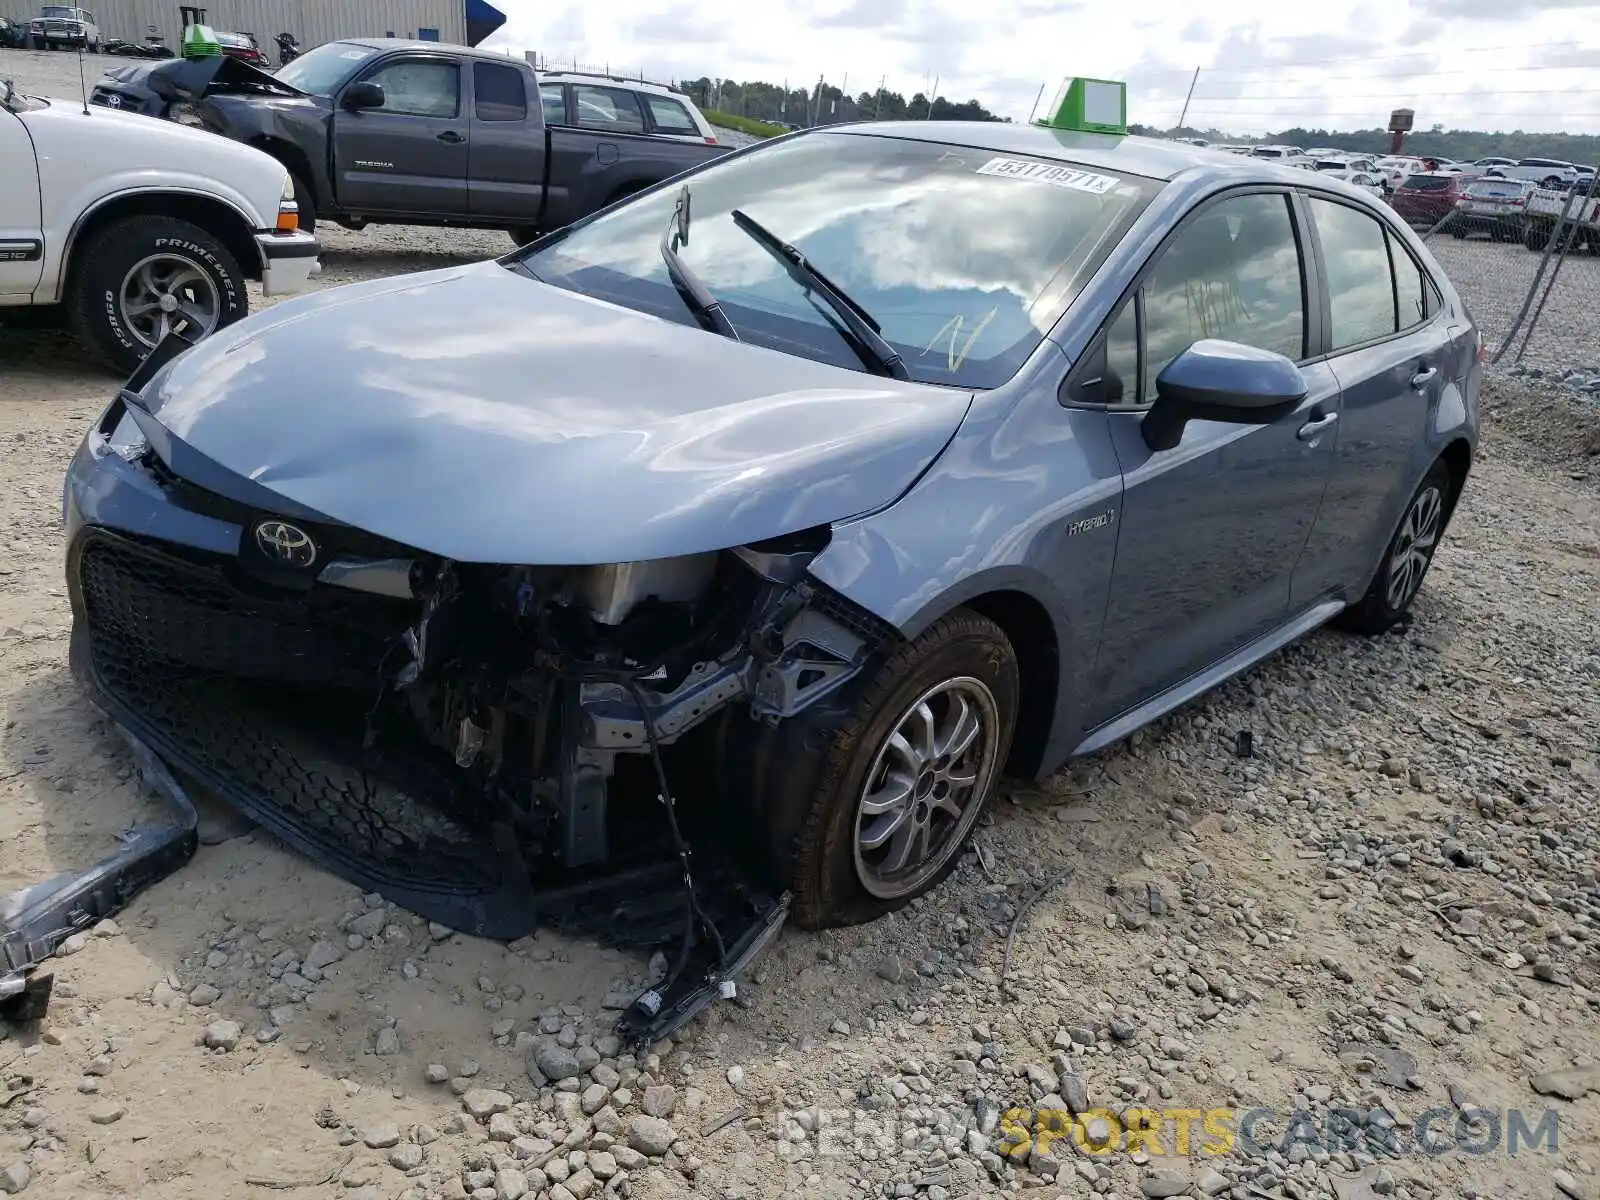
1500, 65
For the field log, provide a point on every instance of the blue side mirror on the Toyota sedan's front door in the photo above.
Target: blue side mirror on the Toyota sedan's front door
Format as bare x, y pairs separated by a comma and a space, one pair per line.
1222, 382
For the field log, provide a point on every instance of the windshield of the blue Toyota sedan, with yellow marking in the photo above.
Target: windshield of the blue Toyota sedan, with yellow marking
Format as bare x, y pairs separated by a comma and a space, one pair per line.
964, 257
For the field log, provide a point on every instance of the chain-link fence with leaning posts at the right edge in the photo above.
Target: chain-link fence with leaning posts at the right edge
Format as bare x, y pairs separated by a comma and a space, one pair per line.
1530, 278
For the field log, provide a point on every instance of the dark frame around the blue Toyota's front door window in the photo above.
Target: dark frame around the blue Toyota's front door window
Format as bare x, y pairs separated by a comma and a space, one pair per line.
1311, 289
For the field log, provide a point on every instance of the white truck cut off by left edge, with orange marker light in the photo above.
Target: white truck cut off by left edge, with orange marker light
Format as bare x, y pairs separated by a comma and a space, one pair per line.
132, 225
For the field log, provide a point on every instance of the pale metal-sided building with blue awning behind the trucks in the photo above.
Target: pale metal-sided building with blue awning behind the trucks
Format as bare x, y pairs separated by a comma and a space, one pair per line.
311, 22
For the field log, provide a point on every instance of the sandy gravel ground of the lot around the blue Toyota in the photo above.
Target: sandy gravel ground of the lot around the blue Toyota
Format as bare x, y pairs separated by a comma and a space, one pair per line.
1380, 930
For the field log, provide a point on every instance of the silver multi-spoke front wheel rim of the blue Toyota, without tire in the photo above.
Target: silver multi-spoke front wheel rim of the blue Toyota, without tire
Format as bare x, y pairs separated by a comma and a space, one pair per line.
927, 786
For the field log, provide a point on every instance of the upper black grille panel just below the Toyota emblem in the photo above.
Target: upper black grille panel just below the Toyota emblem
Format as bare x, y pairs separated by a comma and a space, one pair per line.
202, 614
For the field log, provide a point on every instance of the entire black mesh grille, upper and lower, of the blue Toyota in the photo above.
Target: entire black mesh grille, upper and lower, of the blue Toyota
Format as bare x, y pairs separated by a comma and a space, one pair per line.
172, 644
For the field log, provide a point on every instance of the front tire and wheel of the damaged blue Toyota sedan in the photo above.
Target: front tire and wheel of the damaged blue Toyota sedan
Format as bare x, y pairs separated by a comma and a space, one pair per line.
873, 809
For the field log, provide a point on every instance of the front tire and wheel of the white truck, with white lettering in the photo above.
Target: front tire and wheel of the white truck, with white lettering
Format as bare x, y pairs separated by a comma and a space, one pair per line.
134, 279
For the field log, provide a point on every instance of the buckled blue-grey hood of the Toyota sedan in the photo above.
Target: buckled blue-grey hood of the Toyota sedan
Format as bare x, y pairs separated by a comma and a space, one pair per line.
484, 417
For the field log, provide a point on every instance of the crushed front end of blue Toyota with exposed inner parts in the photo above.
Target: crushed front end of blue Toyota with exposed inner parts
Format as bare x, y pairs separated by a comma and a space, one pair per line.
490, 746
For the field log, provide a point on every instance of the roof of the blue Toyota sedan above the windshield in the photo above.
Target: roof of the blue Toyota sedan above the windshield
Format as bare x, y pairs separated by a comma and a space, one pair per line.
1146, 158
